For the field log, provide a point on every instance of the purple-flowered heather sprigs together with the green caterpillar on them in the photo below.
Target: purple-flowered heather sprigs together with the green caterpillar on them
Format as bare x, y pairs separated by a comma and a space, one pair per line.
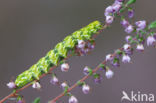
81, 43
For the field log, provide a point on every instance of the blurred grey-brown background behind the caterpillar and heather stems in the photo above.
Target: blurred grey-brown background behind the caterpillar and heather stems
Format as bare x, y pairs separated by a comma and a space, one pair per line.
30, 28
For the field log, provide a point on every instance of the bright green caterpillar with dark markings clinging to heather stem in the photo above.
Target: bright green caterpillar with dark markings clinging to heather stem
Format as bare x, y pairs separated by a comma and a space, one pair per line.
56, 55
